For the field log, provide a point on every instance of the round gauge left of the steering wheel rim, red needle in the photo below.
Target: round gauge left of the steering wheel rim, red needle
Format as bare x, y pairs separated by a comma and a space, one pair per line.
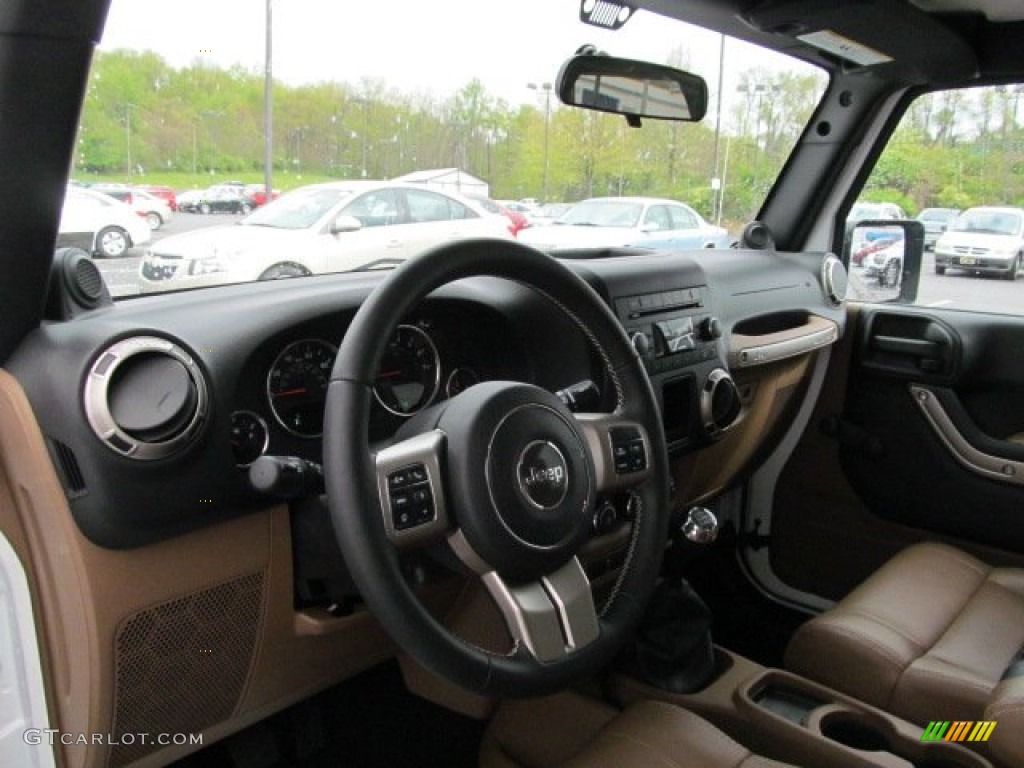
297, 385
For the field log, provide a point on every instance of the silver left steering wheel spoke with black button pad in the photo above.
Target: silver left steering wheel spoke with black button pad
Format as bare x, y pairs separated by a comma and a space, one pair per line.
409, 482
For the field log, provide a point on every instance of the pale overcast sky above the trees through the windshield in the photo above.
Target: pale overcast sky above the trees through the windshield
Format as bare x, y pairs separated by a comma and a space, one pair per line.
325, 40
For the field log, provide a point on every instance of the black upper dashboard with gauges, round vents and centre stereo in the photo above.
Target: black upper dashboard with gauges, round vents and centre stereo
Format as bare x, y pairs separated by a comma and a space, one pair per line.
174, 397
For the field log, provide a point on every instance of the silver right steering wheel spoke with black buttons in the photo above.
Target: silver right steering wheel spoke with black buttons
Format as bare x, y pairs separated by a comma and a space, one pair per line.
620, 448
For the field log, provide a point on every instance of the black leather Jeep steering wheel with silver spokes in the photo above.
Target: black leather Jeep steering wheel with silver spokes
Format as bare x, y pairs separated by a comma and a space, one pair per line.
504, 475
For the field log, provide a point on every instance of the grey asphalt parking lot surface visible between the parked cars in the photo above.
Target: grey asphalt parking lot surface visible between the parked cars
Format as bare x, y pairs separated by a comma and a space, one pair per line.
954, 291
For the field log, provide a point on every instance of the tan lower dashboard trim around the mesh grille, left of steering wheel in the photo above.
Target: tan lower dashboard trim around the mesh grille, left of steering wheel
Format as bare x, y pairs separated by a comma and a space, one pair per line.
84, 594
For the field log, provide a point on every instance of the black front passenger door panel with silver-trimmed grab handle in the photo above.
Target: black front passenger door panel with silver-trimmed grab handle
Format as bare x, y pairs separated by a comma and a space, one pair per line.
877, 470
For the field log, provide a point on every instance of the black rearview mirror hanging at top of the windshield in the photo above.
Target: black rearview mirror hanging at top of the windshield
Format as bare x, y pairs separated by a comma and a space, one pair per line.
637, 90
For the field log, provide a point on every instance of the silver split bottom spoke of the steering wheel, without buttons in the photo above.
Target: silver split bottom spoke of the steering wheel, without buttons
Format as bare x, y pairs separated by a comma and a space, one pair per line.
552, 617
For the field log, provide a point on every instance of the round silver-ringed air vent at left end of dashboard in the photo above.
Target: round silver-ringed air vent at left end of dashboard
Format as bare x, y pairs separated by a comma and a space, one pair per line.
146, 398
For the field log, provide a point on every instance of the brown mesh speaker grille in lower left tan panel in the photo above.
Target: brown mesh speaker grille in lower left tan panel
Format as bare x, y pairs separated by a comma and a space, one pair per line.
182, 666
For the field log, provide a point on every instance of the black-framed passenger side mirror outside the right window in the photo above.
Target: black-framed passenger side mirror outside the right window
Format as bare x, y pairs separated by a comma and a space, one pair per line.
884, 261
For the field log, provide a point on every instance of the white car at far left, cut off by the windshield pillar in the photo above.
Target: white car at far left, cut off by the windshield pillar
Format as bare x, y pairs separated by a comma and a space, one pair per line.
101, 225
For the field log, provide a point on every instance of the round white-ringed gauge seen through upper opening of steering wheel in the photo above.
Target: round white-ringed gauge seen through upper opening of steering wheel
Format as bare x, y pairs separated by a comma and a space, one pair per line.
410, 372
